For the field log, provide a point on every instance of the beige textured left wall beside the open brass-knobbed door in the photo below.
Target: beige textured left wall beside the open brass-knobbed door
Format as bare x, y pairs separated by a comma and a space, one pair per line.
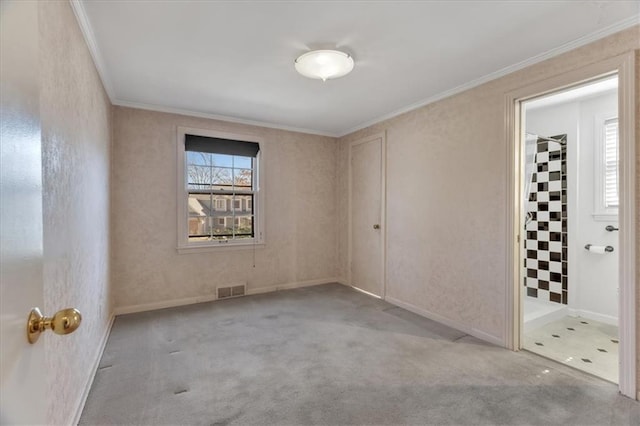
76, 138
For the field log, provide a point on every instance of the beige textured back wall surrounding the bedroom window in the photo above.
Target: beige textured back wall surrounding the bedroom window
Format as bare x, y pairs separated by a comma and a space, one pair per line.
300, 213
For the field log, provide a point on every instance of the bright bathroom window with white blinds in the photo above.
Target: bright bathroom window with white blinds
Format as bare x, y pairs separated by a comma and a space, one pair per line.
606, 156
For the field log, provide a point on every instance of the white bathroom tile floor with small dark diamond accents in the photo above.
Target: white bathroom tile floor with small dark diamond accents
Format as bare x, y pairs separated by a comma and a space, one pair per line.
587, 345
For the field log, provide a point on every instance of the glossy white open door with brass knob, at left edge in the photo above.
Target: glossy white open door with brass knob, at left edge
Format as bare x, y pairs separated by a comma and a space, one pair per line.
22, 365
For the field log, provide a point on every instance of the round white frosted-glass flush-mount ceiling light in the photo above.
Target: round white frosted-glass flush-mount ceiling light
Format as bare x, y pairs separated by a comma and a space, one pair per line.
324, 64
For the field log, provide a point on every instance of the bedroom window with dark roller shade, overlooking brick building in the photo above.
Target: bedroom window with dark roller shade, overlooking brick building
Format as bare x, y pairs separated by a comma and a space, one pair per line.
218, 174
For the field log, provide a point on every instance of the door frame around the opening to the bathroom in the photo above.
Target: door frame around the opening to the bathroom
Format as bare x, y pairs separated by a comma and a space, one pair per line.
624, 67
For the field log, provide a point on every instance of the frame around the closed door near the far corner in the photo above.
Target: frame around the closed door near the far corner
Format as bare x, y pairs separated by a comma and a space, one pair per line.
383, 211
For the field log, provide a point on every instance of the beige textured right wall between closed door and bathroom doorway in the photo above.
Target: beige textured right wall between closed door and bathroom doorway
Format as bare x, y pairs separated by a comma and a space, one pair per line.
447, 192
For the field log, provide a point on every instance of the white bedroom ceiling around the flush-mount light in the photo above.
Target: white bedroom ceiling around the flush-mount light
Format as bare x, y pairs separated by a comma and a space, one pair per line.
234, 60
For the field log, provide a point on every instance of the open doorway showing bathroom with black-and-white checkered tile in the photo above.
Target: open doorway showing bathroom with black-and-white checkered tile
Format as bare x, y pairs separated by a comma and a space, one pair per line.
569, 250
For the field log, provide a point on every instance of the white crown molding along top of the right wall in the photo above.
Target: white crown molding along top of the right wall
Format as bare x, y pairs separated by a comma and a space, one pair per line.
612, 29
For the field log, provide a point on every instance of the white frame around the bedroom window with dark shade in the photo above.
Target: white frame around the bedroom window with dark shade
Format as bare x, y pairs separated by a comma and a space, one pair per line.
186, 246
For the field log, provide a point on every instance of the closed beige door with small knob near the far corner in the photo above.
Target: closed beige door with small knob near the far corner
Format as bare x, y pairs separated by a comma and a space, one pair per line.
366, 219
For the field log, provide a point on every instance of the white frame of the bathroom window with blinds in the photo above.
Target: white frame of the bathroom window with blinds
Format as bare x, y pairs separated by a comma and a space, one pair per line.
600, 212
